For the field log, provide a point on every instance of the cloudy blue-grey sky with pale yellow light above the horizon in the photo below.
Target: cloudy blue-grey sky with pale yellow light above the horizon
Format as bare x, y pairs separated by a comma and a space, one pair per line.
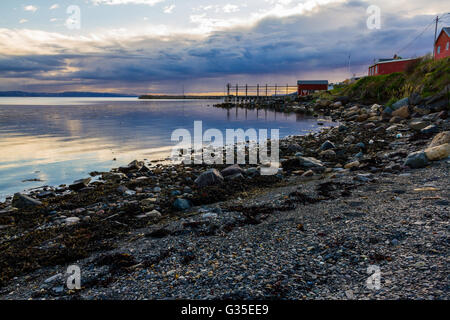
163, 46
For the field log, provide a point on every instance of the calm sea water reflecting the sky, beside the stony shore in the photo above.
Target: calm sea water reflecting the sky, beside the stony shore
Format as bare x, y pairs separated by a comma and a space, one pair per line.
58, 140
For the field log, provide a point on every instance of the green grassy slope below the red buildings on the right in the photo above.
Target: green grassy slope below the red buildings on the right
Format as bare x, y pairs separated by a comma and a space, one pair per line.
425, 76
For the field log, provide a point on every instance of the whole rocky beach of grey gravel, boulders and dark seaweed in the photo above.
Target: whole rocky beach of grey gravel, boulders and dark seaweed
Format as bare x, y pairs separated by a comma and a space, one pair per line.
371, 191
